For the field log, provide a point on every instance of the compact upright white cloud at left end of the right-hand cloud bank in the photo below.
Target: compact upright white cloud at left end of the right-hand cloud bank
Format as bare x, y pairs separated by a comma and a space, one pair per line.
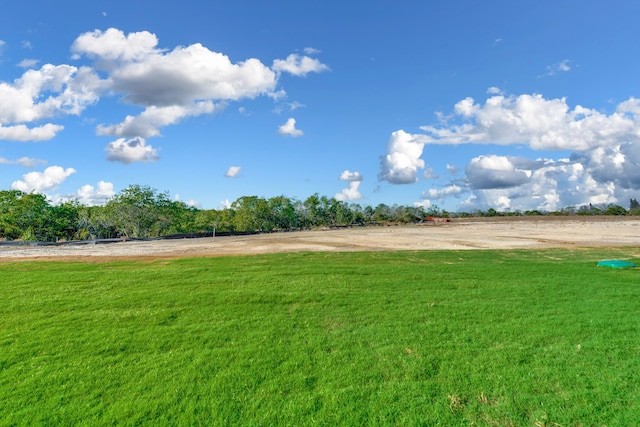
402, 161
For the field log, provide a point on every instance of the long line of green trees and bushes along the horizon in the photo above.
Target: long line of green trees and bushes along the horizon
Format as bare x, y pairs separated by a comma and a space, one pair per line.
143, 212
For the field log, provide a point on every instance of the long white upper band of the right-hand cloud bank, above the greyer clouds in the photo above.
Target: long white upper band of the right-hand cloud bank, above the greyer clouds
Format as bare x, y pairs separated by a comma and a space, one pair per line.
539, 123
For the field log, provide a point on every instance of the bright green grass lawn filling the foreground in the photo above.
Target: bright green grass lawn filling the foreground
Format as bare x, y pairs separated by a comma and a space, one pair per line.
383, 338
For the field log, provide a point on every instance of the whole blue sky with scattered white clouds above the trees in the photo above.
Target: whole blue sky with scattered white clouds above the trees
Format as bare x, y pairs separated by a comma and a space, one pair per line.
460, 104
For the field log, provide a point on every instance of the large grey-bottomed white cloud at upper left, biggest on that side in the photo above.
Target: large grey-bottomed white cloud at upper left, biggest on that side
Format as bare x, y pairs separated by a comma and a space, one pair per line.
148, 76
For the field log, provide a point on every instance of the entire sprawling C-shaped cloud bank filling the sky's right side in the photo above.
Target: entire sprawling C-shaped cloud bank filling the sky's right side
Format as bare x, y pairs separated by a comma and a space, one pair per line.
604, 166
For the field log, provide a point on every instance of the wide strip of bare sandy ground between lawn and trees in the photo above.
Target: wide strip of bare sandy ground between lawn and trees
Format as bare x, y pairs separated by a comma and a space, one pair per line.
490, 233
